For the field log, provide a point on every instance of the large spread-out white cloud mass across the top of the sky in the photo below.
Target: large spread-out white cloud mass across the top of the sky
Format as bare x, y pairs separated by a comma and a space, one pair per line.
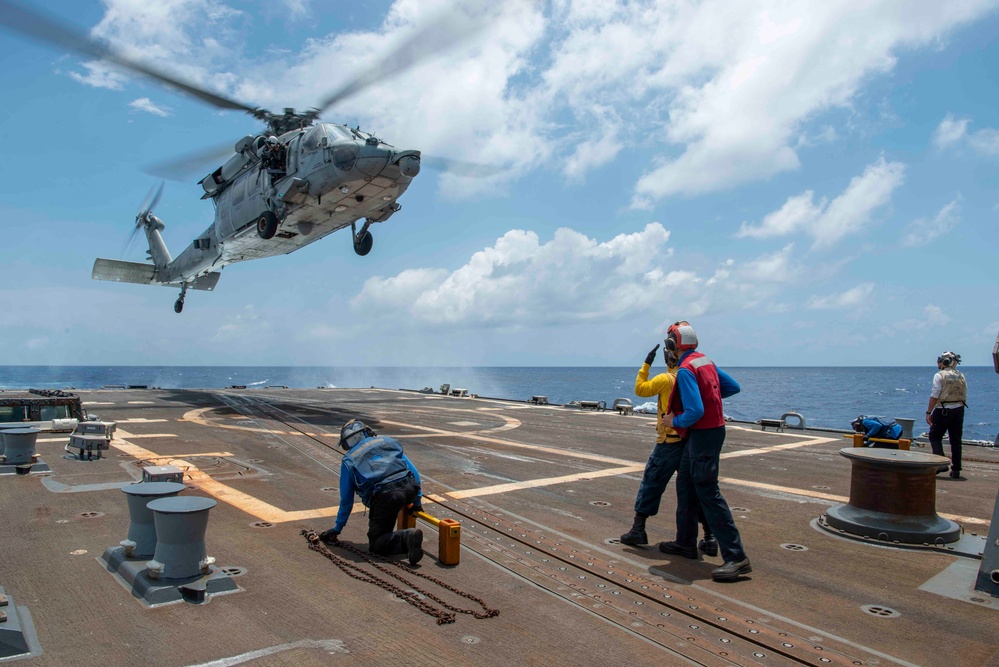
717, 94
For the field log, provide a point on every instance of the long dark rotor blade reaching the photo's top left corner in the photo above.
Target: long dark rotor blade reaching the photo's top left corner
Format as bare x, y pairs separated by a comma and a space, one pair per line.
33, 23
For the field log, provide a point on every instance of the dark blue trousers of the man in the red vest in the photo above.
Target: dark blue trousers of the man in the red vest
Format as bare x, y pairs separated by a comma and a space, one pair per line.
697, 487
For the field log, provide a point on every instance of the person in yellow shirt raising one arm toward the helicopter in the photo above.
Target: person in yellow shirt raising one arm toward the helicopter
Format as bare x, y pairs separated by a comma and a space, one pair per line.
665, 457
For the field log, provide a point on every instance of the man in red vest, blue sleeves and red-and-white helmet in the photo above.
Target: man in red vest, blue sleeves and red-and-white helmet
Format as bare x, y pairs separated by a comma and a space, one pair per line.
695, 410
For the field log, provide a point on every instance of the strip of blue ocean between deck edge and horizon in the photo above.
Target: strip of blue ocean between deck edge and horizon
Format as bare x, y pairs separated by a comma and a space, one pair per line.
826, 397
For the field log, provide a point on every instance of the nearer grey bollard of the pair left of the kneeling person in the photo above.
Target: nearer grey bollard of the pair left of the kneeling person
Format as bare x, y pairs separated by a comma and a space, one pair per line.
181, 522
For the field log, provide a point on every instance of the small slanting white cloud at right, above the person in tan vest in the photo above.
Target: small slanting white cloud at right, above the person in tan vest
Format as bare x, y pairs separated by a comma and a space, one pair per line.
829, 222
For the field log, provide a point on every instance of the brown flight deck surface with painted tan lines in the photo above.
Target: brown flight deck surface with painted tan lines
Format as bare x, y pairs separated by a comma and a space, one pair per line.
541, 492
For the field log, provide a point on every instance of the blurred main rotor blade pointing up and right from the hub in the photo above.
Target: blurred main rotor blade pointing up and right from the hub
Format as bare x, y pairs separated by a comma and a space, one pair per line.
445, 32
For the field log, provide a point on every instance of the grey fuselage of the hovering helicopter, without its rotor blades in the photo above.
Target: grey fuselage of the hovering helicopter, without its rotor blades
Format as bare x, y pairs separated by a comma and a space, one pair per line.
333, 176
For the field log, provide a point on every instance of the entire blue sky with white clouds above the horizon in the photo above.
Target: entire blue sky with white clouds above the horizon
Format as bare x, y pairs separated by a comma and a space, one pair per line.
807, 183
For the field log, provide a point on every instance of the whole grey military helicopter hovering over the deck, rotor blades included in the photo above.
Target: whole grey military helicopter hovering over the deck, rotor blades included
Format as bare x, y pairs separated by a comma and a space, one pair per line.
293, 183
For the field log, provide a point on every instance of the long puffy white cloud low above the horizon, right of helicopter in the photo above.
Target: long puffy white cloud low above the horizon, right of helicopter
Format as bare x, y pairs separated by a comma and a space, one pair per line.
522, 281
